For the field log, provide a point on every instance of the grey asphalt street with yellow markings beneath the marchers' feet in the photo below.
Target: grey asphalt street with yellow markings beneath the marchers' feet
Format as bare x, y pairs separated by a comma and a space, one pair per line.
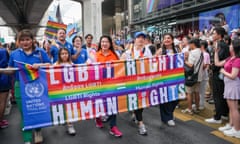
188, 130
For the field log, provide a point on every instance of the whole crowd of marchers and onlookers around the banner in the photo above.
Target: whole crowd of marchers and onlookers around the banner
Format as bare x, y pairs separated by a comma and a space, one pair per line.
214, 61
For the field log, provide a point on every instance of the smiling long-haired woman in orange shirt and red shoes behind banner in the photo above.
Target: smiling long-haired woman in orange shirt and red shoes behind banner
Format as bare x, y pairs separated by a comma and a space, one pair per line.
106, 53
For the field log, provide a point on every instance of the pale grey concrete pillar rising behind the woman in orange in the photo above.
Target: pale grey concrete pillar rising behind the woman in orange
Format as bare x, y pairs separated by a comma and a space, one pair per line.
92, 18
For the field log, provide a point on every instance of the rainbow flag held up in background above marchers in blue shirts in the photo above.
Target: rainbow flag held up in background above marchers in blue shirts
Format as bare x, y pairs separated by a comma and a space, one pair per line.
52, 28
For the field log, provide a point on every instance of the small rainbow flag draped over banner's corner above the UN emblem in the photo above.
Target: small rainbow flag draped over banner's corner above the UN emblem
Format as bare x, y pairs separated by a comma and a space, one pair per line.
27, 72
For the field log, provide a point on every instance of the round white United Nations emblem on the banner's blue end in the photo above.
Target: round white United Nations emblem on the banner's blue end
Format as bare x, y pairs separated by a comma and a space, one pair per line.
34, 89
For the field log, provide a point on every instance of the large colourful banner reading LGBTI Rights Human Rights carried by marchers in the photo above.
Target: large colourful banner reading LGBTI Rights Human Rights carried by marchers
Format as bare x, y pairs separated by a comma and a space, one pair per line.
59, 94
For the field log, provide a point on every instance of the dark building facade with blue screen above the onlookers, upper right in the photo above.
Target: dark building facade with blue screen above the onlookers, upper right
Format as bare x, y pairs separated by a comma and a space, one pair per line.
182, 16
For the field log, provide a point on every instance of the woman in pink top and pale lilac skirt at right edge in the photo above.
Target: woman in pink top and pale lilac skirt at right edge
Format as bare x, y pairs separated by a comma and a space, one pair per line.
231, 73
